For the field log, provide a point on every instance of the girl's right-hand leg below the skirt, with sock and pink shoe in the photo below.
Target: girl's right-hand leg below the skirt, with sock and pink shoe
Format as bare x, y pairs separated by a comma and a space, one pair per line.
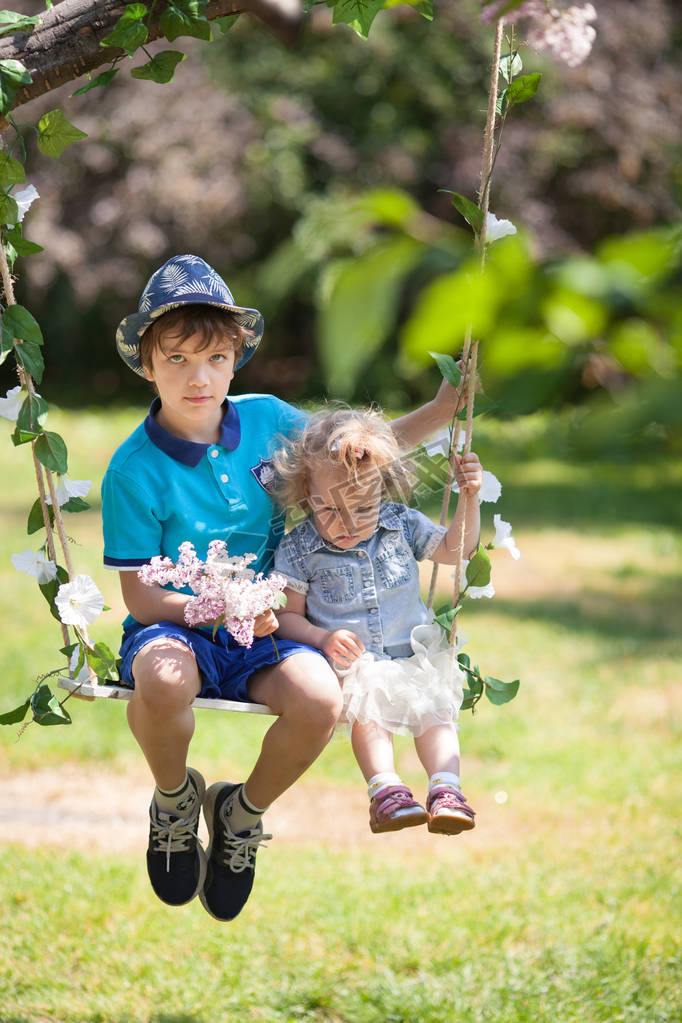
438, 749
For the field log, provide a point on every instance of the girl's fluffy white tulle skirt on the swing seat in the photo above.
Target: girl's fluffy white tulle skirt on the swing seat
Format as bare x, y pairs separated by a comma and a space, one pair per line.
408, 695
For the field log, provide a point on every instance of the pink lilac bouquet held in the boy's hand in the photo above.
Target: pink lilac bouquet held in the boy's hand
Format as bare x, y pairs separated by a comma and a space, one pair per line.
226, 591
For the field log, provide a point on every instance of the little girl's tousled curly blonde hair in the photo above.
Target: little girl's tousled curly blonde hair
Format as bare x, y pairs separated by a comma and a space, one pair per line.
352, 441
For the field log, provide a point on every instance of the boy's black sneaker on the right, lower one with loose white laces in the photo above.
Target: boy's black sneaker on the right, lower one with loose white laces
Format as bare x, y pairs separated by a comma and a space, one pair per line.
232, 858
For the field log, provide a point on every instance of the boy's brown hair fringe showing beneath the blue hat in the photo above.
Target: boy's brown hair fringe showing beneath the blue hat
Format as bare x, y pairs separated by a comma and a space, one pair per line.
208, 323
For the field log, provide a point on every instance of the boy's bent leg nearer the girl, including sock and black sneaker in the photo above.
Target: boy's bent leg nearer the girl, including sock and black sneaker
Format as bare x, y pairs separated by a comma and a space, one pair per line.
305, 694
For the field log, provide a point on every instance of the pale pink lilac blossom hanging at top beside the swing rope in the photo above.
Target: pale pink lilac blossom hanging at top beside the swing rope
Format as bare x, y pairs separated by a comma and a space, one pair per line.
566, 34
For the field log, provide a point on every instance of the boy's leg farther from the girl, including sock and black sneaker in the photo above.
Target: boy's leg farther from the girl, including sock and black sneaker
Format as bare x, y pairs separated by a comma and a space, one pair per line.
161, 718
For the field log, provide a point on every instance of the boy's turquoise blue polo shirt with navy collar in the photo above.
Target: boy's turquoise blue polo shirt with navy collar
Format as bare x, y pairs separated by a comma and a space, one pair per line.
161, 491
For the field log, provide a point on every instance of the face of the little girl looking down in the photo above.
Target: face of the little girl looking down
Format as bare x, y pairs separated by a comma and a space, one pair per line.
345, 512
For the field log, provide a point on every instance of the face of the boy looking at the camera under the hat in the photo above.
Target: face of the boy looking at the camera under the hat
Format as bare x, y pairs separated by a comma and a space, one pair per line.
193, 383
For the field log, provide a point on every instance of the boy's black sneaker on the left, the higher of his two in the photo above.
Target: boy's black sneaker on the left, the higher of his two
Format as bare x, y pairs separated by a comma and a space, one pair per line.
176, 861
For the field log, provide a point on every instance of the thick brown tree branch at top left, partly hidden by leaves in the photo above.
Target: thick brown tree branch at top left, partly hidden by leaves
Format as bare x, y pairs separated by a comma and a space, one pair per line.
67, 43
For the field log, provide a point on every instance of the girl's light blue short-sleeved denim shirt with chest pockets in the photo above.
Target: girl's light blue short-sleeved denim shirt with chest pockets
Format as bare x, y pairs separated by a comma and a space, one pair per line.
372, 590
